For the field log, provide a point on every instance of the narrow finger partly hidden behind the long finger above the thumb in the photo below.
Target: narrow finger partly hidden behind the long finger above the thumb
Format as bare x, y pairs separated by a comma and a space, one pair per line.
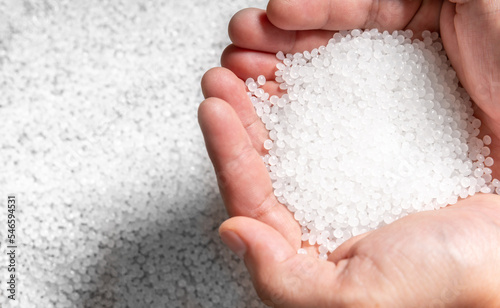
223, 84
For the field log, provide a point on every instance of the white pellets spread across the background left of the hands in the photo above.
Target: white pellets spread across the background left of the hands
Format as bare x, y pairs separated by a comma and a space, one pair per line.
118, 204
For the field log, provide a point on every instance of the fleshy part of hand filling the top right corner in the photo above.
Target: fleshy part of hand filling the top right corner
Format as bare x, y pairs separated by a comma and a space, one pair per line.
475, 60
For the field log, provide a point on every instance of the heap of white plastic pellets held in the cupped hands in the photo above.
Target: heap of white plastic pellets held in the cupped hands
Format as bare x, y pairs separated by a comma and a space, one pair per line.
373, 127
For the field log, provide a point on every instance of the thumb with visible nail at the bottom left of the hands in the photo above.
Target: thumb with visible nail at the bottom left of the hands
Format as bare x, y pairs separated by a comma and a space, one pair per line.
282, 278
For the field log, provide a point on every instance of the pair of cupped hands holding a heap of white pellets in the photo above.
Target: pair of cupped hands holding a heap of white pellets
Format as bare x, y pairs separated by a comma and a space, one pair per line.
449, 257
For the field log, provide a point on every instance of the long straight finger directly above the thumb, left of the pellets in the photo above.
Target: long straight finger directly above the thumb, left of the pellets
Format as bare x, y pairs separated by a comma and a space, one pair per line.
242, 176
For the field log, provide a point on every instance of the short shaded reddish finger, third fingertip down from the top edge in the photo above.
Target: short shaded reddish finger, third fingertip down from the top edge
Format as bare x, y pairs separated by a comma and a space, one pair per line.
247, 63
